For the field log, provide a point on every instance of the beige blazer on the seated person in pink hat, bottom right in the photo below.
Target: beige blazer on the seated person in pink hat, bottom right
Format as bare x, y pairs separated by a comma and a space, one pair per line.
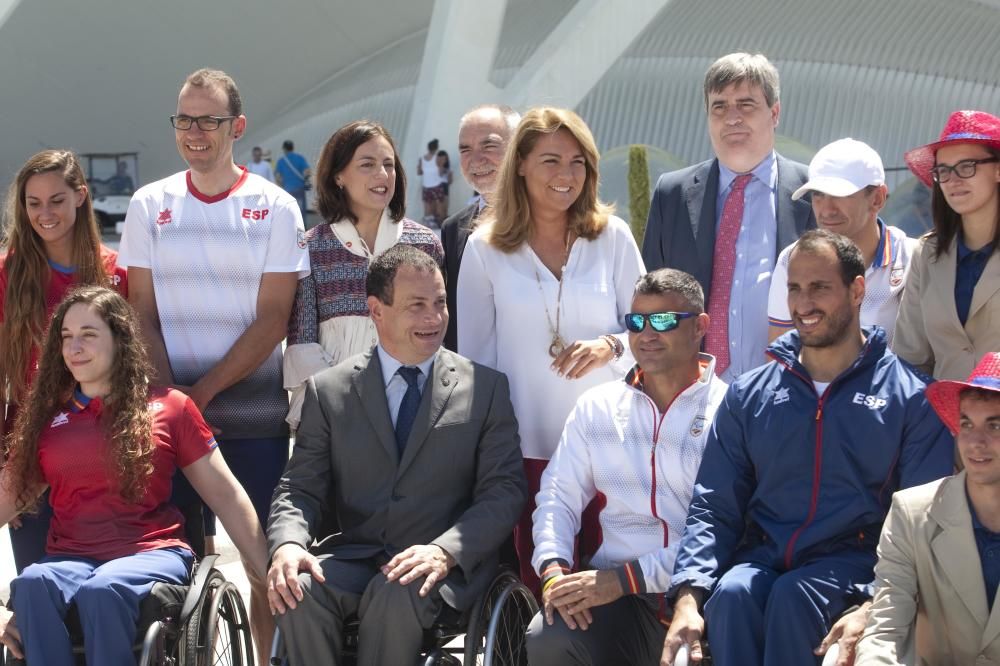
930, 603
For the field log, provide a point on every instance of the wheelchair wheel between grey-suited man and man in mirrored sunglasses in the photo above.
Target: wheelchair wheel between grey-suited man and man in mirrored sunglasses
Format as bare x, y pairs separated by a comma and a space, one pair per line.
498, 624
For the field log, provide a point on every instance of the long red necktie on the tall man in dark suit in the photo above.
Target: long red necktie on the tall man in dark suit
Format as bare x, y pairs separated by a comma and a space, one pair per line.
723, 267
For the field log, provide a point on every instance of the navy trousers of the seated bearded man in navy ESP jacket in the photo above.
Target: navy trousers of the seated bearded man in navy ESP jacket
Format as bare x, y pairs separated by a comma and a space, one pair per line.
757, 616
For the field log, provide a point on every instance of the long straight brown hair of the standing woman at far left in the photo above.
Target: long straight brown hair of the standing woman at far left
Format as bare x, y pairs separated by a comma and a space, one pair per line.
28, 270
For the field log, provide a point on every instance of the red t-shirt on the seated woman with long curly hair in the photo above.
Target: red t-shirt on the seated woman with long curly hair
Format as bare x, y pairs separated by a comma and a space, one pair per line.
90, 517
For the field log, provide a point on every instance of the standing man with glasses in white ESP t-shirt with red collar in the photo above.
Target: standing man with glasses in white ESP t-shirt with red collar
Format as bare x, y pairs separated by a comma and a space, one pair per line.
214, 255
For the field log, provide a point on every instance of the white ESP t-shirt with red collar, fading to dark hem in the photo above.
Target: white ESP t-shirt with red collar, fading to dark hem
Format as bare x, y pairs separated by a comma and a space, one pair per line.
207, 255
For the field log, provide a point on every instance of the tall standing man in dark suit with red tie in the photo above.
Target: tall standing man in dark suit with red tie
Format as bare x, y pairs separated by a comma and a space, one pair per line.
725, 220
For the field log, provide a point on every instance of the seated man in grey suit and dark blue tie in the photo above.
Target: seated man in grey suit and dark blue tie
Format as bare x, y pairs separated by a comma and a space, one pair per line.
412, 452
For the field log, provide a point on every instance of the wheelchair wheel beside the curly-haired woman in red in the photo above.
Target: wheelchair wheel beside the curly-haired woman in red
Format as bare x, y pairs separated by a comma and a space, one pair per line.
218, 631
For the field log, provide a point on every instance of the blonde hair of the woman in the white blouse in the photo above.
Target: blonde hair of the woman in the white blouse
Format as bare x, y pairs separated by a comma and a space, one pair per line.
509, 218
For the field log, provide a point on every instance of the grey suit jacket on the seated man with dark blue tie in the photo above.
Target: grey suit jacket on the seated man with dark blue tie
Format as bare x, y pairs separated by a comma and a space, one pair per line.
460, 483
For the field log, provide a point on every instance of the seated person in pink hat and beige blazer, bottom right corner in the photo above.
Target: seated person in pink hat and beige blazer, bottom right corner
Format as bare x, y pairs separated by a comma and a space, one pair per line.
939, 555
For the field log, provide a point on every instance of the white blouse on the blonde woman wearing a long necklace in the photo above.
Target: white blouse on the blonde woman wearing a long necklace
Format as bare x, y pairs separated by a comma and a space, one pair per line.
502, 324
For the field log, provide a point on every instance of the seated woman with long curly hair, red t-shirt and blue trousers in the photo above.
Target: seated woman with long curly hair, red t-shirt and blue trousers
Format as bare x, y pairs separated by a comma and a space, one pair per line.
107, 445
